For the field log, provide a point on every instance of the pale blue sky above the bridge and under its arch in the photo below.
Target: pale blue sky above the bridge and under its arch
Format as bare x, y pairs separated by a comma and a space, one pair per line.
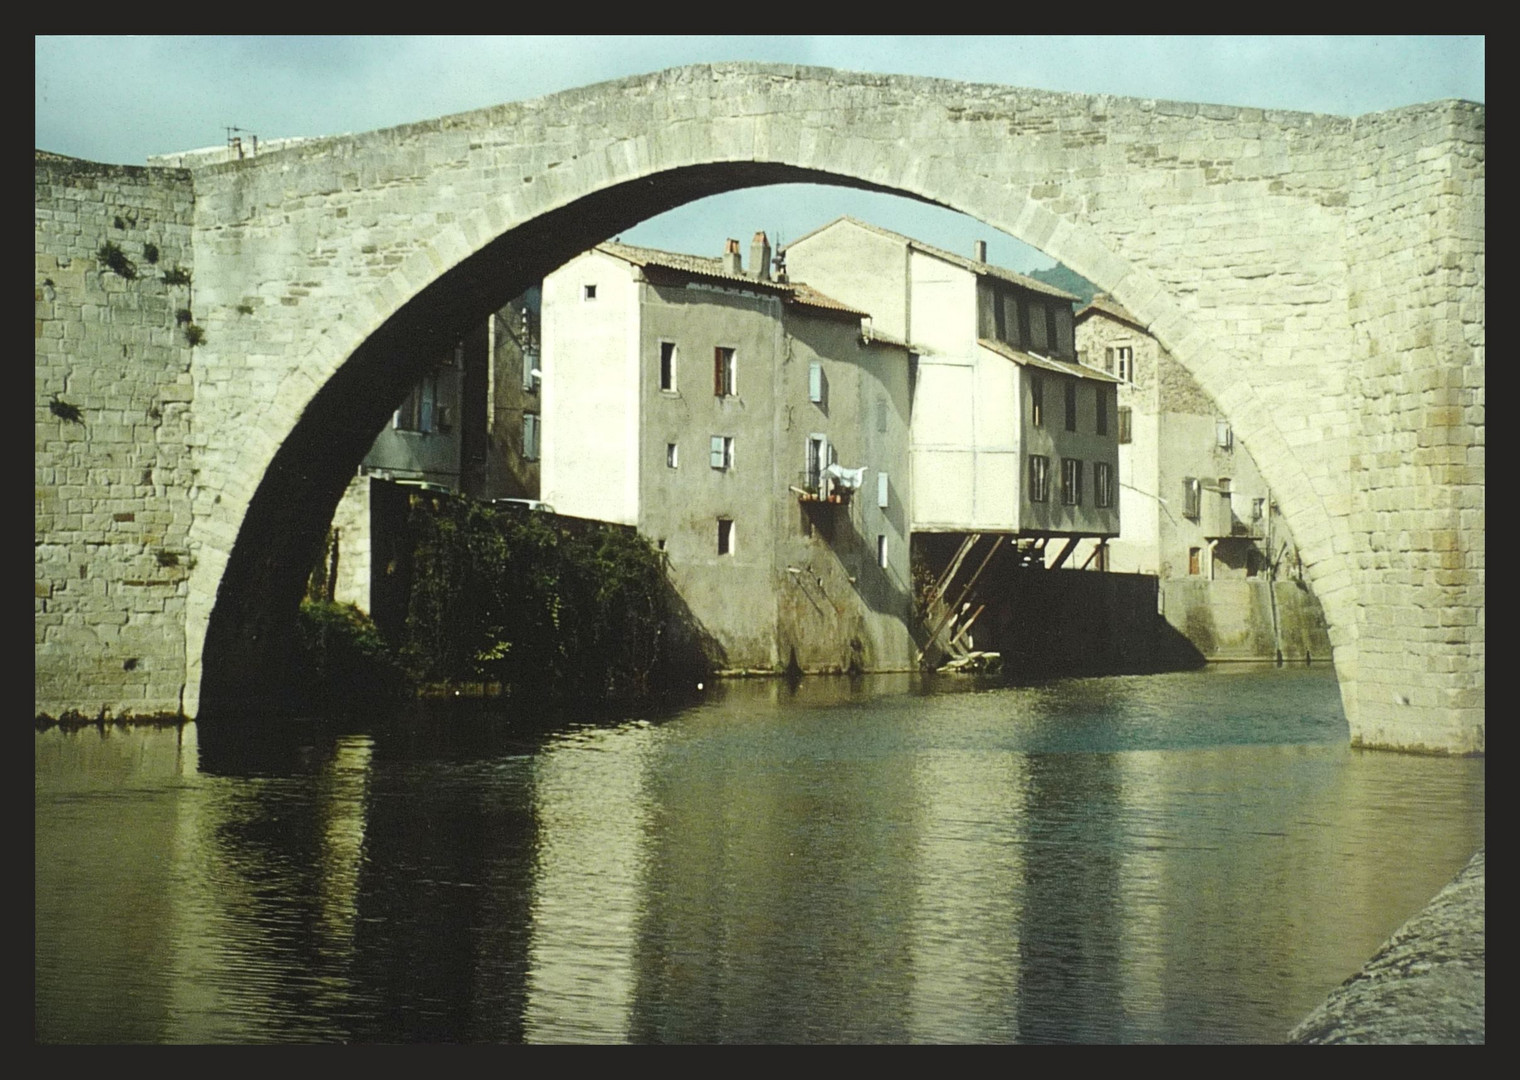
121, 99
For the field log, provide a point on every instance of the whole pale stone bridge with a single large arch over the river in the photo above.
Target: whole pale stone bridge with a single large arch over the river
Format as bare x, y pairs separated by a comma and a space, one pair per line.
1322, 277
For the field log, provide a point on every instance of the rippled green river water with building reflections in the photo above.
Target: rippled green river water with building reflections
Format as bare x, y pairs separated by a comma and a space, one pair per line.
1189, 857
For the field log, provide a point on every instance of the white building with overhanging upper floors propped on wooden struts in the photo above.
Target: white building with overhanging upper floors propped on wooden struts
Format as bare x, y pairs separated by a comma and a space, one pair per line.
1010, 435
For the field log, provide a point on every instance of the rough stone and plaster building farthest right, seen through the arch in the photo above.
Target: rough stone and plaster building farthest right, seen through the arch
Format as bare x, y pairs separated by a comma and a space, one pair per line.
1195, 508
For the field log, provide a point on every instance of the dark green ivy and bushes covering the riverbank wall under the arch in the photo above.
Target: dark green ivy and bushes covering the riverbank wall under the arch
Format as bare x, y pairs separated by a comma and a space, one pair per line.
511, 601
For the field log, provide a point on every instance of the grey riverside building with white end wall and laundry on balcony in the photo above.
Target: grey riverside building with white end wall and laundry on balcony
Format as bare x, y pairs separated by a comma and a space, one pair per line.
755, 432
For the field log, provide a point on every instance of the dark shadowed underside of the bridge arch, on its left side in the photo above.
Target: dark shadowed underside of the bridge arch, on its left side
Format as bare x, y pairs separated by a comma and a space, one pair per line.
250, 646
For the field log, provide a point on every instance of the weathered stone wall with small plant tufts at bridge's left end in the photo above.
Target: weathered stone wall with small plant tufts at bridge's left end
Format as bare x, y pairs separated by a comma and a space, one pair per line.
113, 488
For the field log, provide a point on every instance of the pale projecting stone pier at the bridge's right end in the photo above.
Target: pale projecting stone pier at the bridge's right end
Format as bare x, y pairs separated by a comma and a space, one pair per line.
1417, 455
